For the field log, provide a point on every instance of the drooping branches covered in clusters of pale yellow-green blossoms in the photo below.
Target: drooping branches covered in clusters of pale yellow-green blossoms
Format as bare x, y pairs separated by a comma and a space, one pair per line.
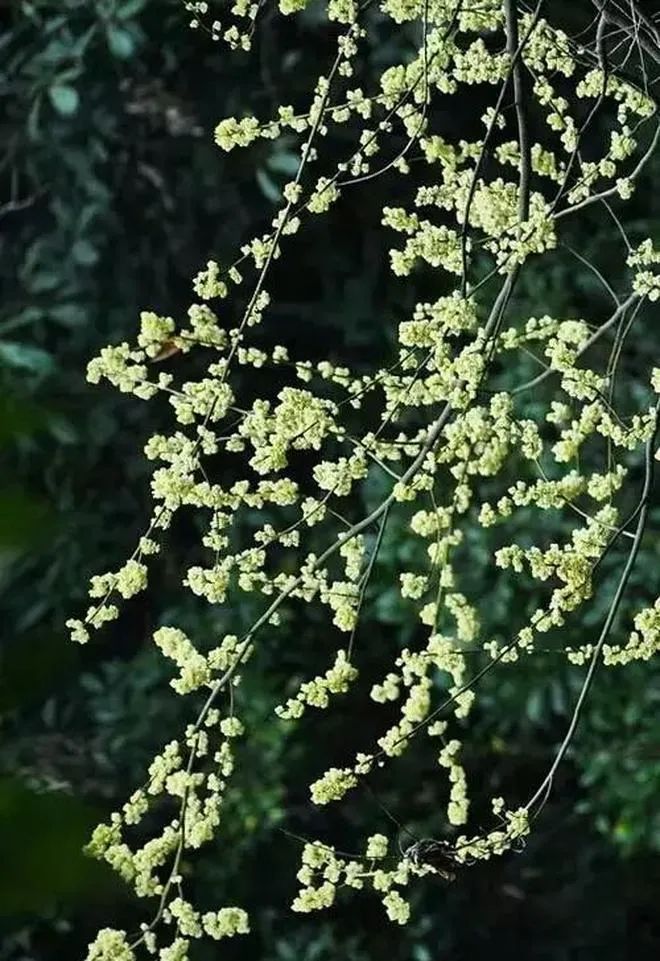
452, 445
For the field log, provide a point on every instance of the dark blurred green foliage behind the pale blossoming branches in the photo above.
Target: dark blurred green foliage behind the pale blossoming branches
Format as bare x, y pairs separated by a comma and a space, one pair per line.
112, 195
